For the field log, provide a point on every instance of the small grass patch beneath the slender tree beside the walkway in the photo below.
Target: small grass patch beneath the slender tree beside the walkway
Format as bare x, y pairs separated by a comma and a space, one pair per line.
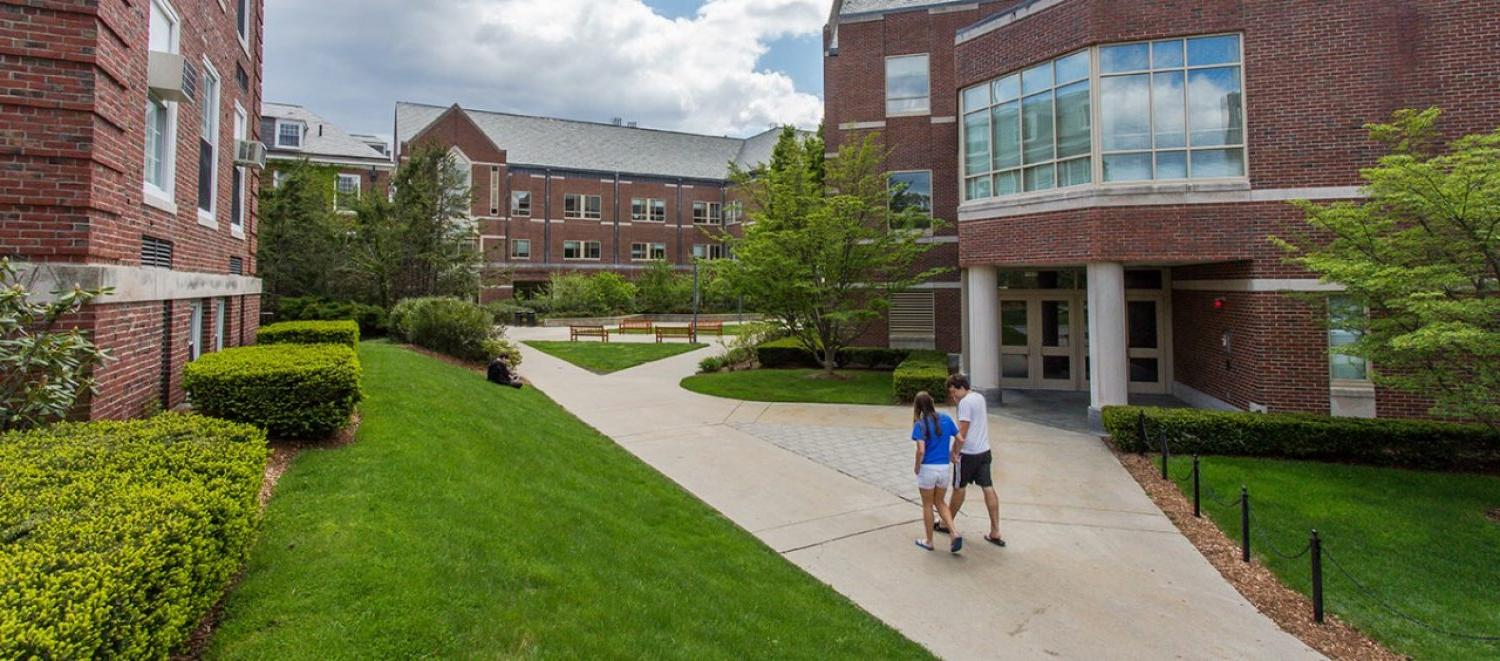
871, 387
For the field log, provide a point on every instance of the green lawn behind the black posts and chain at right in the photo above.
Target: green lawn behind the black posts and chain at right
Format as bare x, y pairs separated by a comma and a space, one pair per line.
1420, 540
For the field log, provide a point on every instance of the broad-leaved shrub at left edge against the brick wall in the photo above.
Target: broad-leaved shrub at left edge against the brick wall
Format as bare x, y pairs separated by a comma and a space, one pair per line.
43, 369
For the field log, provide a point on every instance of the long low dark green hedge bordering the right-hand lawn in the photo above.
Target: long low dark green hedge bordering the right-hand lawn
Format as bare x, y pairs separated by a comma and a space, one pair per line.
1382, 443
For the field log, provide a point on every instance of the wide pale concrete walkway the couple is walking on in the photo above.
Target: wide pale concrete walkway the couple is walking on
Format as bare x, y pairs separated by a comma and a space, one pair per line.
1093, 570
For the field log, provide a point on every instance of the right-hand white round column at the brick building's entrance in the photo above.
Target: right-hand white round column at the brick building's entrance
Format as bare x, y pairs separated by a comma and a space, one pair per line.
1109, 363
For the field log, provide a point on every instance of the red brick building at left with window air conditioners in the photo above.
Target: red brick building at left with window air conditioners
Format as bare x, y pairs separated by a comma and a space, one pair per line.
127, 140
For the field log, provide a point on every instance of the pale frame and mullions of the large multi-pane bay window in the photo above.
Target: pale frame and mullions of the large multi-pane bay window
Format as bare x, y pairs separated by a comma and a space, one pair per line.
1096, 137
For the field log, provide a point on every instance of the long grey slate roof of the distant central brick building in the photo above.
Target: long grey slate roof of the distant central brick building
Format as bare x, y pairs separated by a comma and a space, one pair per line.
590, 146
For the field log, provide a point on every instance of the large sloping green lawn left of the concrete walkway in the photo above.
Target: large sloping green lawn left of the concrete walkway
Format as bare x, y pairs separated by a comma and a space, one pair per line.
472, 521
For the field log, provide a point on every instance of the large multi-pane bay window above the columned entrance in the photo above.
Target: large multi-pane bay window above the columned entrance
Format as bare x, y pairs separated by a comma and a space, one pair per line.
1141, 112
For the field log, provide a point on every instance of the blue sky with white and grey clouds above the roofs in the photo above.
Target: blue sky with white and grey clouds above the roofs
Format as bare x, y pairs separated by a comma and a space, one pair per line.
713, 67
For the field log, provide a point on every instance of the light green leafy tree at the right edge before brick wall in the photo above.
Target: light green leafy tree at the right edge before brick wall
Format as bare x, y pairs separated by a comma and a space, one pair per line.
1423, 254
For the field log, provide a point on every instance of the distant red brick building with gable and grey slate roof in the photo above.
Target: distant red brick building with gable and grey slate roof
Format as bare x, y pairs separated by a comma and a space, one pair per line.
563, 197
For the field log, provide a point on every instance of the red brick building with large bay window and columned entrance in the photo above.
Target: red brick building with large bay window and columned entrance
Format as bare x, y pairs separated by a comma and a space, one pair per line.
1115, 170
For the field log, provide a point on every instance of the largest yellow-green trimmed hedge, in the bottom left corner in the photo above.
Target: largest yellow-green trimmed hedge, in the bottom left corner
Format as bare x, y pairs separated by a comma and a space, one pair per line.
116, 539
